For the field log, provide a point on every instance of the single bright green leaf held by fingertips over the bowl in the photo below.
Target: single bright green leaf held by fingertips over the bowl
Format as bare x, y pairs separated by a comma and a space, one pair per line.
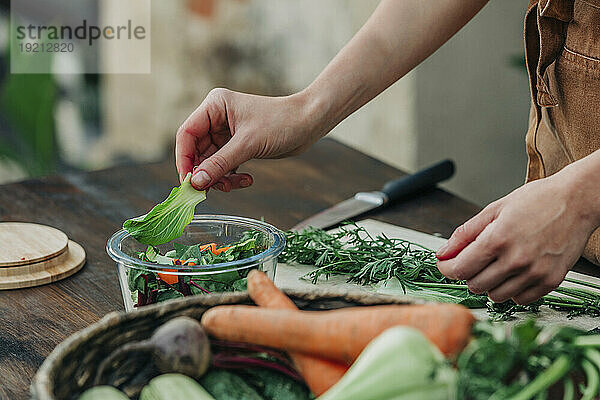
167, 220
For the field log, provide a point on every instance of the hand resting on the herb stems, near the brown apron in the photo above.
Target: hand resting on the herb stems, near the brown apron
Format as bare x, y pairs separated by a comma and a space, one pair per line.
522, 246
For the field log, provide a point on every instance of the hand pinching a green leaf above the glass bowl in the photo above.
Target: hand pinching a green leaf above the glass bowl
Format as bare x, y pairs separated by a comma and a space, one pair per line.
230, 128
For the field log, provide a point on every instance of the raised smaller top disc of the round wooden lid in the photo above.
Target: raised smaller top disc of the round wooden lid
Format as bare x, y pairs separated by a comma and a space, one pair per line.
24, 243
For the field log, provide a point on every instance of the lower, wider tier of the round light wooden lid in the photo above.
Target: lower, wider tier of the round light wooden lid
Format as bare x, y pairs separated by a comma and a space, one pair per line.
47, 271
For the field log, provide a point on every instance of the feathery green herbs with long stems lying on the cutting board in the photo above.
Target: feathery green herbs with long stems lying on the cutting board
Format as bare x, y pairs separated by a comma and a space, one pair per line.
379, 260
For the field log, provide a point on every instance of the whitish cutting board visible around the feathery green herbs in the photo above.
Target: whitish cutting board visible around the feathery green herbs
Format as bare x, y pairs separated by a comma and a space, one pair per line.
290, 277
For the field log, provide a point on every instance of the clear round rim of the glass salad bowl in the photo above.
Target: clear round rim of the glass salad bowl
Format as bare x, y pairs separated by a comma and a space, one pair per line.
114, 251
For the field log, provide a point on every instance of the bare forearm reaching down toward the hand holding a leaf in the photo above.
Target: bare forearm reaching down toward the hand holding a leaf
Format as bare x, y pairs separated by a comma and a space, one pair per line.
397, 37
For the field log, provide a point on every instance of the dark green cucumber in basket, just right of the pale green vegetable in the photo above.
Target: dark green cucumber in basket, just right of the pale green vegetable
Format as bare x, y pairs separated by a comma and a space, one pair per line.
224, 385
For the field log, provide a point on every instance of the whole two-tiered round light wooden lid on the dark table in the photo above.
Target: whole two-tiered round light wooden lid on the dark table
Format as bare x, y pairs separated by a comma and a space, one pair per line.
32, 255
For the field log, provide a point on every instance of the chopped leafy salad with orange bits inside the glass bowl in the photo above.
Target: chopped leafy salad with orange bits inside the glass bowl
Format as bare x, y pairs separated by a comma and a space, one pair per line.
149, 287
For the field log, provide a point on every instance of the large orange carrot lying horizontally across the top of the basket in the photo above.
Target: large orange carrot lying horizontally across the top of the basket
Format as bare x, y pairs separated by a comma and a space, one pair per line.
342, 334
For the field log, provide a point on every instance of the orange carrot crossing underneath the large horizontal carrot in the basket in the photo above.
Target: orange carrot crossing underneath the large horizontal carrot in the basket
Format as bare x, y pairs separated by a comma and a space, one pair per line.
318, 373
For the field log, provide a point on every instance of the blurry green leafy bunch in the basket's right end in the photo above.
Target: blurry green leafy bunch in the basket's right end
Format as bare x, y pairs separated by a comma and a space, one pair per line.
525, 361
